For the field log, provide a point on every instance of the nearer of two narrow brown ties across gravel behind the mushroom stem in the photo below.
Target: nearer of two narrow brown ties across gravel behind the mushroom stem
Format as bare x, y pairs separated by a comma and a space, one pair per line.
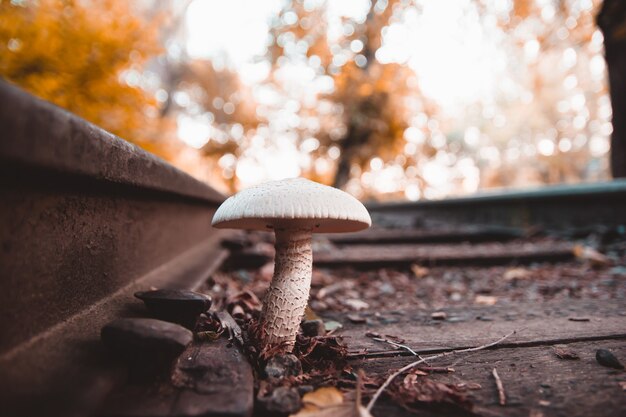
403, 254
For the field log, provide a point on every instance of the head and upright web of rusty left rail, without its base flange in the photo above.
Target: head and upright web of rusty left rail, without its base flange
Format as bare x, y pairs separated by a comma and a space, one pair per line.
83, 213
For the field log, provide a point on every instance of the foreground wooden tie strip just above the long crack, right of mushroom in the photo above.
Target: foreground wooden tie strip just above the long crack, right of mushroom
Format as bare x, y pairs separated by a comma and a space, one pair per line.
474, 326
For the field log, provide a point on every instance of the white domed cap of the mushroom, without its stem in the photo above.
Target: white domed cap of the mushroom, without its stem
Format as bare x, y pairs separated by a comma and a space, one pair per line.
295, 203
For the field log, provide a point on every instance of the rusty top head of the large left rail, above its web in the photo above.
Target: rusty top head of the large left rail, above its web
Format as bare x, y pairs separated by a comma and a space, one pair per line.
38, 133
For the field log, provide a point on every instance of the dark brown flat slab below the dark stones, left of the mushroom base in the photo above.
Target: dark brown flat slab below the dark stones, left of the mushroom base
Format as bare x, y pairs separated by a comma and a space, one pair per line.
209, 380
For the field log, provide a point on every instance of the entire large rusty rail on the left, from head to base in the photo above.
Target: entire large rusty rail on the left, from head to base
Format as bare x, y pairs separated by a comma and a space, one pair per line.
86, 219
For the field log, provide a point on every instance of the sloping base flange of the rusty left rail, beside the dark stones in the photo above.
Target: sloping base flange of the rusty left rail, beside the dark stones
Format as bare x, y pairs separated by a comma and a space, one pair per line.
65, 370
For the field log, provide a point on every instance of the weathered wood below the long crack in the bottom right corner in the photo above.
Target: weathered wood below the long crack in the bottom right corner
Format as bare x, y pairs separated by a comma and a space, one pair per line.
535, 380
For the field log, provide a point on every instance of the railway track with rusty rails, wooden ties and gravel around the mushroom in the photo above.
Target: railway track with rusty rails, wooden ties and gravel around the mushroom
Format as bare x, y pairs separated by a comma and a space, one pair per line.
87, 220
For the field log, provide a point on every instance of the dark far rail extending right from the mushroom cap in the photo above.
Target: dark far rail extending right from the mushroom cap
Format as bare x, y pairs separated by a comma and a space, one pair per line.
552, 207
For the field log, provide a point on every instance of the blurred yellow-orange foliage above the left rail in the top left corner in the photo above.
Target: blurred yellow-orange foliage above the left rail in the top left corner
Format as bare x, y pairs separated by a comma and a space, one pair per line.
84, 57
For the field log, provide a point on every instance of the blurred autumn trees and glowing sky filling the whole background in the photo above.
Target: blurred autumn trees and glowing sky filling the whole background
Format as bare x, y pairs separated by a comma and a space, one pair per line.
330, 104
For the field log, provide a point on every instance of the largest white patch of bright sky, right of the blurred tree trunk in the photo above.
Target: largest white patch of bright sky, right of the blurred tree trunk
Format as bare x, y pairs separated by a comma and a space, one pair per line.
455, 57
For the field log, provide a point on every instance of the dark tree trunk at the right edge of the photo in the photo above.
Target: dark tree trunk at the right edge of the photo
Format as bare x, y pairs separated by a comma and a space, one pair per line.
612, 22
